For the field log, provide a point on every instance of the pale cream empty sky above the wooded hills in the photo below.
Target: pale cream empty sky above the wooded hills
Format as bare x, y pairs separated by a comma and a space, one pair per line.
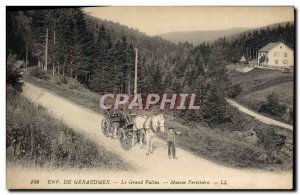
158, 20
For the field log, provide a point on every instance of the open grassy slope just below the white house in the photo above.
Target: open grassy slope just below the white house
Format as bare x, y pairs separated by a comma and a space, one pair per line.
258, 84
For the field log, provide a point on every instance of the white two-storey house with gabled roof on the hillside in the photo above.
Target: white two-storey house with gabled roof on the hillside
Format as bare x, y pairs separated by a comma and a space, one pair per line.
275, 55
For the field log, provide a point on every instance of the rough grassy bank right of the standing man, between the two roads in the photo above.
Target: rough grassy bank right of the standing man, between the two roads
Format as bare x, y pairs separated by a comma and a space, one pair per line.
229, 143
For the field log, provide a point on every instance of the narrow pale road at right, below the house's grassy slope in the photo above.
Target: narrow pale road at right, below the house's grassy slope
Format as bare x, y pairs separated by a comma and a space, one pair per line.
259, 117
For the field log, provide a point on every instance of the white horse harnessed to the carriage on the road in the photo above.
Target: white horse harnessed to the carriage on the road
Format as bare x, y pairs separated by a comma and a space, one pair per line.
149, 126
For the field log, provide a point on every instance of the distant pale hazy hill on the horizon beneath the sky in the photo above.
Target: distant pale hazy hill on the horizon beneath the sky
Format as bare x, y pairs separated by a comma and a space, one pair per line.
198, 37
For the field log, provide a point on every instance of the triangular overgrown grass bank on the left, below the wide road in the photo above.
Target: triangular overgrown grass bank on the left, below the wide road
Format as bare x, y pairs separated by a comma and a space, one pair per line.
33, 137
